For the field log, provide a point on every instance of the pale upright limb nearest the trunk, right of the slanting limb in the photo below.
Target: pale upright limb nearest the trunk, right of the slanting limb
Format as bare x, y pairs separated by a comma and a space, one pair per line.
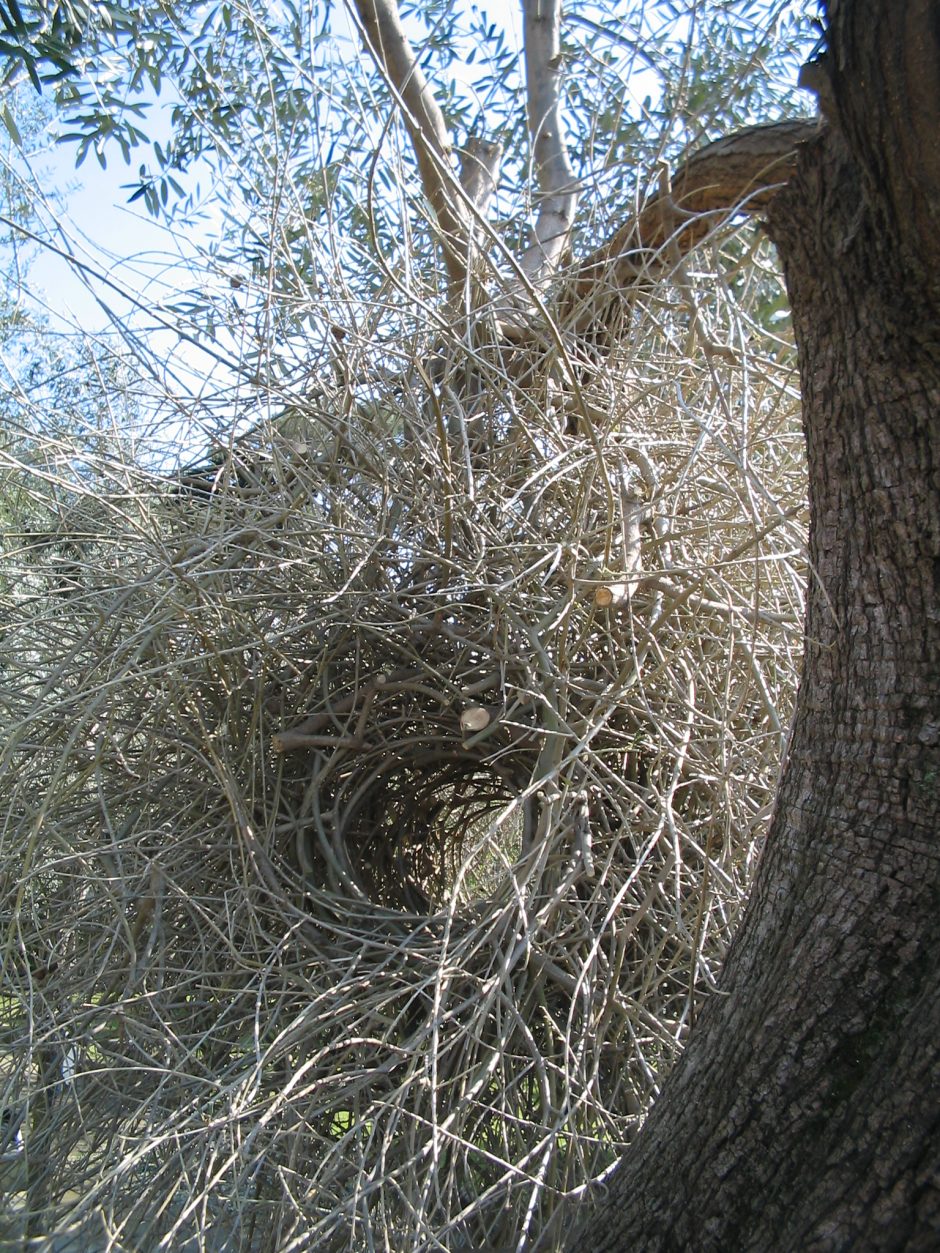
558, 196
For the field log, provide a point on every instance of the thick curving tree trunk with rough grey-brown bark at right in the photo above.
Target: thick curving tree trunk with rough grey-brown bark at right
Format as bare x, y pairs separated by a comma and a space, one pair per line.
805, 1113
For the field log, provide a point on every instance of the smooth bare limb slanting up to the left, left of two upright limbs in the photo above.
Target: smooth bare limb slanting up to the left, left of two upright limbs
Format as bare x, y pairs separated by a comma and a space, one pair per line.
390, 48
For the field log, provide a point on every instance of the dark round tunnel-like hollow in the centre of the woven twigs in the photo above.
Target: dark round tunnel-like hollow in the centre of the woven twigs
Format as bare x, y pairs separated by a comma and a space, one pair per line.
407, 816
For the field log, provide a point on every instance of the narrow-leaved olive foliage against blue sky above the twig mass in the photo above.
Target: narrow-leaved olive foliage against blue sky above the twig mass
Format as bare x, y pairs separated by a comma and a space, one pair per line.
270, 101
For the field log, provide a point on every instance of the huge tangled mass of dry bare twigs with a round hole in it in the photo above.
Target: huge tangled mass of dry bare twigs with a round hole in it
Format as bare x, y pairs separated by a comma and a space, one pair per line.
379, 799
